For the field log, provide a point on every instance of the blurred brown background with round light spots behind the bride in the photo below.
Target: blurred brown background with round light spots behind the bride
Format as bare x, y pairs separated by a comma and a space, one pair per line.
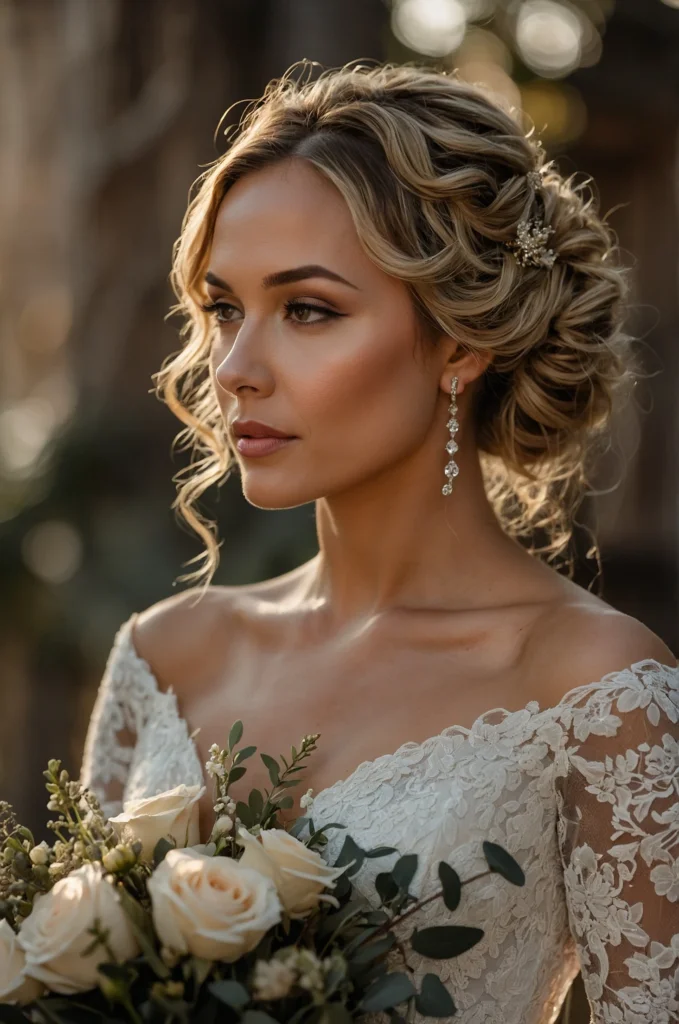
109, 111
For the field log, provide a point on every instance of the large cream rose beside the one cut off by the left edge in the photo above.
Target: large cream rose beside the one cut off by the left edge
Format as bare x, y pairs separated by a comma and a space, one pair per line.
56, 933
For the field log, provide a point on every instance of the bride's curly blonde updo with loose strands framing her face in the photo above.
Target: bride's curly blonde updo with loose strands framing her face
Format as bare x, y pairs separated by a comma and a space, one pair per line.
434, 172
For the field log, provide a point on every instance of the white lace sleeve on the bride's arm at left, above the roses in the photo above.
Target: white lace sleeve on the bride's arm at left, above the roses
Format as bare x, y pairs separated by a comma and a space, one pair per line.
116, 721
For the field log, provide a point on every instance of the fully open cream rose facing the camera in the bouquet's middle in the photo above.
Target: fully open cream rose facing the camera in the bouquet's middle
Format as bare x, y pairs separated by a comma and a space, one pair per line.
211, 907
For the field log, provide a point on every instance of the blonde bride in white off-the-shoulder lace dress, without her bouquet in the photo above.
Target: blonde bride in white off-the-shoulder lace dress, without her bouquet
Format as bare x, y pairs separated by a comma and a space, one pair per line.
383, 274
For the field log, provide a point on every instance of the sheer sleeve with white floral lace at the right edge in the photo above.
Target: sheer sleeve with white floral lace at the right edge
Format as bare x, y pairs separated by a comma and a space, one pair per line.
618, 792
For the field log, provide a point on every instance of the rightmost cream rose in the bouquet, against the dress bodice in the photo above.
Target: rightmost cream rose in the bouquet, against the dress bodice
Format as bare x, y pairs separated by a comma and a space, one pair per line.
301, 875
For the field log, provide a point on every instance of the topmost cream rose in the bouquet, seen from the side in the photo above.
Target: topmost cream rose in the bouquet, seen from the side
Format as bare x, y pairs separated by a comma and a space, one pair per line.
174, 814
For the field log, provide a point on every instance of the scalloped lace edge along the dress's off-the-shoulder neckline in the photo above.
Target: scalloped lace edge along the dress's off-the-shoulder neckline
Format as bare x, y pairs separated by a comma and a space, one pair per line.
531, 711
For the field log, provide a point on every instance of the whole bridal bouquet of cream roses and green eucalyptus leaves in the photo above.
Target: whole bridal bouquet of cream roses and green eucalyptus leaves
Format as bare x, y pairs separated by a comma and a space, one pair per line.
133, 919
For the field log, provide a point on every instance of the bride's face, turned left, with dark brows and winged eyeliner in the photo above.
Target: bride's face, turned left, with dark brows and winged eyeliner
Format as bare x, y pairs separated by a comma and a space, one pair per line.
332, 362
